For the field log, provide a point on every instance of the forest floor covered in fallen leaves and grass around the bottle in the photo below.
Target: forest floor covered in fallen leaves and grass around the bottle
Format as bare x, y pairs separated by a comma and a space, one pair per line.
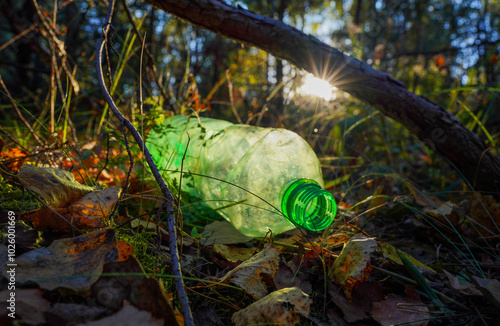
75, 254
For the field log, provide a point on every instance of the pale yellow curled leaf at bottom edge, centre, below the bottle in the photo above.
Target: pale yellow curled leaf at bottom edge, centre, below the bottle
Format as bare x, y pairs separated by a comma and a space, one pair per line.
275, 309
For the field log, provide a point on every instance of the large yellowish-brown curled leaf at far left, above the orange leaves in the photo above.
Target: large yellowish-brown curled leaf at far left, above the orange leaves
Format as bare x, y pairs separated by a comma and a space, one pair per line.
56, 186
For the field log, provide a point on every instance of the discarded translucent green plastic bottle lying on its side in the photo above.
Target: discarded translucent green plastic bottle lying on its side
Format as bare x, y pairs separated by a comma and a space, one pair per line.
256, 178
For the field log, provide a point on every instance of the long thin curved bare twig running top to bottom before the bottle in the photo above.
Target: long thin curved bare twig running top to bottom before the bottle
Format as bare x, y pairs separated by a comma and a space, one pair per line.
169, 200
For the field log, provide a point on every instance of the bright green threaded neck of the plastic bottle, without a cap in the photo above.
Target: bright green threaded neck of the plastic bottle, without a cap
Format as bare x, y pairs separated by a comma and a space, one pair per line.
306, 204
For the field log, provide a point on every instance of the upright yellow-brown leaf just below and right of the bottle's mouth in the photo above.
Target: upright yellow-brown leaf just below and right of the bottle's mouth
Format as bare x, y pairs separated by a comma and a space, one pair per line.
353, 264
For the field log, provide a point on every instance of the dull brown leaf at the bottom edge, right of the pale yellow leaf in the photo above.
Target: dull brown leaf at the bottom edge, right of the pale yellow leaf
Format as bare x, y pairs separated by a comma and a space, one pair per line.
396, 309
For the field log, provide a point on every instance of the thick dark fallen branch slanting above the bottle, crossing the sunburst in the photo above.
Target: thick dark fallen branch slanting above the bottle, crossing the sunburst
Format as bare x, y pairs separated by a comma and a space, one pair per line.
431, 123
